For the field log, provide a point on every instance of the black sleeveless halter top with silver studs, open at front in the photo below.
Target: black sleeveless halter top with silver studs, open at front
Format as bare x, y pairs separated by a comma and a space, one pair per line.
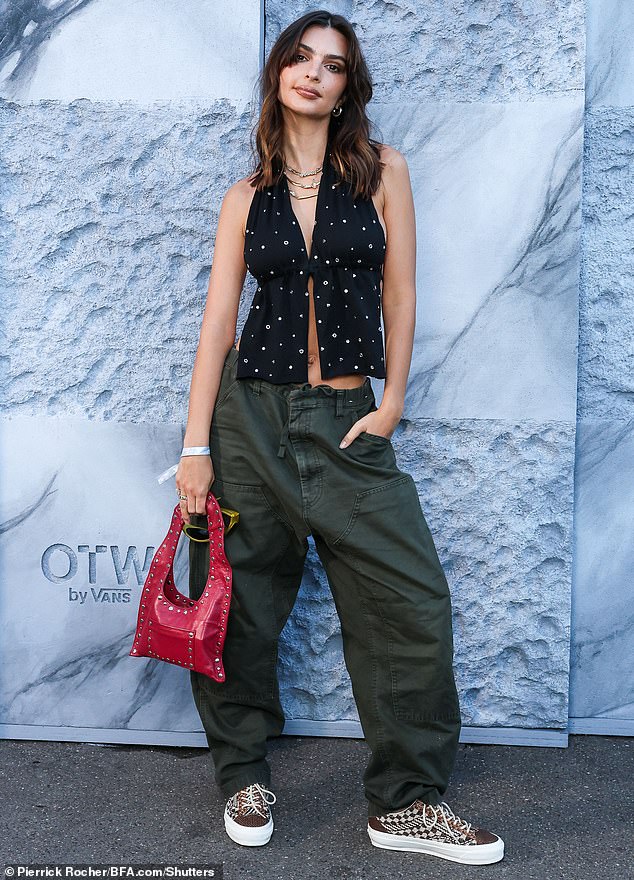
346, 262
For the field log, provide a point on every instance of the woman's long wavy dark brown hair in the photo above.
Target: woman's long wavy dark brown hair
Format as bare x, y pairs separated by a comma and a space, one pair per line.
354, 154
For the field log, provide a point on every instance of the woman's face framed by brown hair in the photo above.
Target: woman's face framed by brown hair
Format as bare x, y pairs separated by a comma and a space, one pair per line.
320, 68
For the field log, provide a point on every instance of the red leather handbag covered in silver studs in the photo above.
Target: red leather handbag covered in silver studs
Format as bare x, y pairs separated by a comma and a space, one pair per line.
172, 627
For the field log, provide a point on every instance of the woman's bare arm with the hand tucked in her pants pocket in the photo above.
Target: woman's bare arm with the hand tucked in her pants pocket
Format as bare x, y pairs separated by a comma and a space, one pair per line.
398, 295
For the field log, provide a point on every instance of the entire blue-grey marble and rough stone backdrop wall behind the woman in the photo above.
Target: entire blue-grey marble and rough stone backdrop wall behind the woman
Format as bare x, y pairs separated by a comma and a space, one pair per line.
121, 127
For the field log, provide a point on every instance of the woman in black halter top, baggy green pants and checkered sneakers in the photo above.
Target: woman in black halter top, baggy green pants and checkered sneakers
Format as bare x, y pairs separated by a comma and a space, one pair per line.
298, 446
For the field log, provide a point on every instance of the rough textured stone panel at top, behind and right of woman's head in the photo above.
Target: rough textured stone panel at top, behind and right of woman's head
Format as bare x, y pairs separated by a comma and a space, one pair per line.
476, 50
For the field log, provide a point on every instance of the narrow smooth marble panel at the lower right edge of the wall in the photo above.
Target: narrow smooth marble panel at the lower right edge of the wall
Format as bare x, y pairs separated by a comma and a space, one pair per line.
602, 664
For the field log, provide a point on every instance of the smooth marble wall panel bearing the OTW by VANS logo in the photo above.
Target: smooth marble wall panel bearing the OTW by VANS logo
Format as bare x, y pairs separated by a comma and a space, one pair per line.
82, 515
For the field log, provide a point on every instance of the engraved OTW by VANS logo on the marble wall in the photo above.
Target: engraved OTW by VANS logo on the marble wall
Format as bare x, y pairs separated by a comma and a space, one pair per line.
86, 569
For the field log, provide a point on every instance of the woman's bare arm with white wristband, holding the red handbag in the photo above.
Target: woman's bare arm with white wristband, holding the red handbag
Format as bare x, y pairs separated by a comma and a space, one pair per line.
195, 473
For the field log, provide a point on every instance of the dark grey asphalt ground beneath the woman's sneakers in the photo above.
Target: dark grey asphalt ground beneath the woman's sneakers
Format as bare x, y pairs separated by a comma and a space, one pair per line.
564, 814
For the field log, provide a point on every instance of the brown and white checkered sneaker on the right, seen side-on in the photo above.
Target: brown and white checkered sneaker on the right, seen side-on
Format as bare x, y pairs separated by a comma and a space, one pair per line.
436, 830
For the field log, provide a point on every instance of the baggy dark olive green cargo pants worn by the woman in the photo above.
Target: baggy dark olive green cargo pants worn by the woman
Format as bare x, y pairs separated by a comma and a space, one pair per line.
276, 456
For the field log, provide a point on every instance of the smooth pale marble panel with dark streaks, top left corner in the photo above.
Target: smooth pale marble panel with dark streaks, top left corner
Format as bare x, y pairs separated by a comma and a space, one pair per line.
144, 52
